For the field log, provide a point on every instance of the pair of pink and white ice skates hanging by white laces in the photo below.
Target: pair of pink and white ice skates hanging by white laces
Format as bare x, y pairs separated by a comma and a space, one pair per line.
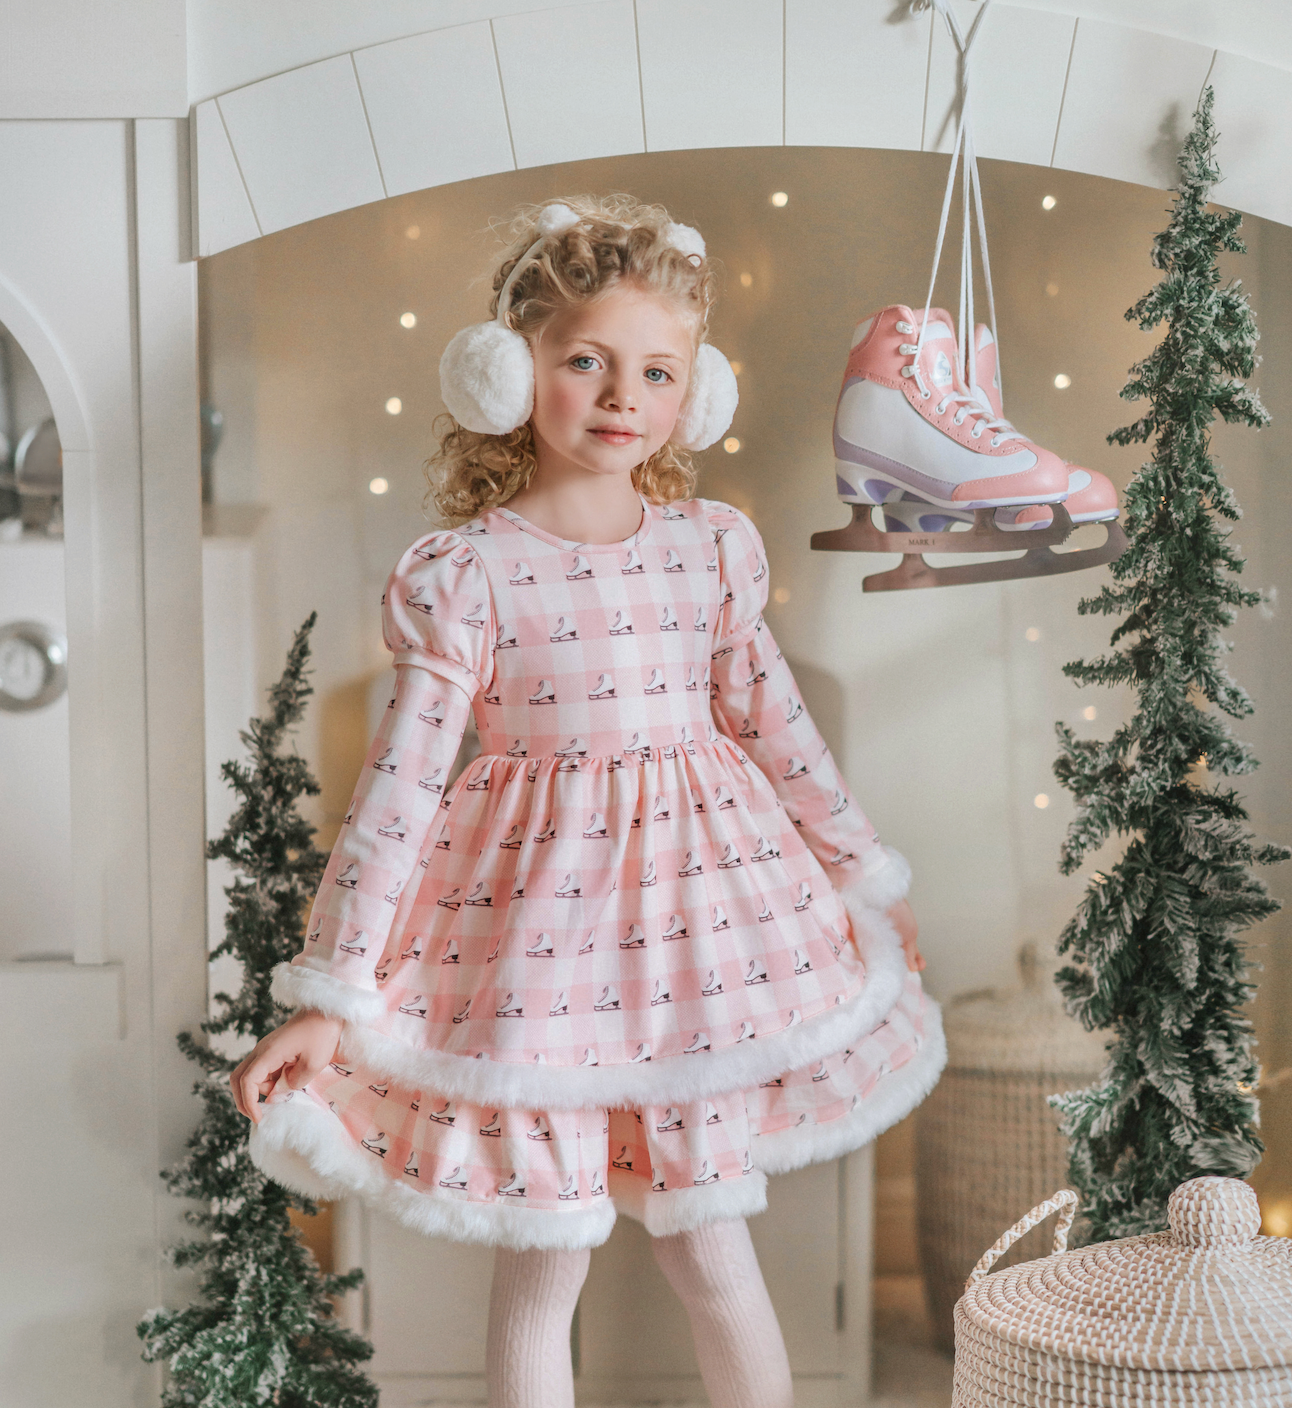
920, 429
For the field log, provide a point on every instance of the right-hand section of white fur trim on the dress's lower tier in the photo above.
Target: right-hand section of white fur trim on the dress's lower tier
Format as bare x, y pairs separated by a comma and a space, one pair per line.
896, 1096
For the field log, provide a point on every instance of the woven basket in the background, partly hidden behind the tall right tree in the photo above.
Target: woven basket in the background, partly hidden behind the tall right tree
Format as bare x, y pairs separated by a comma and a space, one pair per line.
987, 1144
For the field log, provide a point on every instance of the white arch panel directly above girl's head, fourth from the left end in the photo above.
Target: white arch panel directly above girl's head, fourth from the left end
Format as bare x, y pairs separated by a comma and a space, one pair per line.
572, 82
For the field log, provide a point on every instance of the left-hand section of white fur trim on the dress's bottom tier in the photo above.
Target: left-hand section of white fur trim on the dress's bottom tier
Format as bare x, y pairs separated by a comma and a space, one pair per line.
306, 1150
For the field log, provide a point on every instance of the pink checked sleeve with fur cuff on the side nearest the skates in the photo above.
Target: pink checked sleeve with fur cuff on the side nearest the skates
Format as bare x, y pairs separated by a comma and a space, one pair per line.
756, 703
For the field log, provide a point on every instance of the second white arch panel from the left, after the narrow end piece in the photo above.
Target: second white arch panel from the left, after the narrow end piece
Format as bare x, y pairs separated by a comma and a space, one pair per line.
303, 144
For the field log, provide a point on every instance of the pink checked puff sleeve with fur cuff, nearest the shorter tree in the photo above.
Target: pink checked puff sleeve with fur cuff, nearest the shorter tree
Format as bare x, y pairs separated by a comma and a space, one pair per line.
438, 623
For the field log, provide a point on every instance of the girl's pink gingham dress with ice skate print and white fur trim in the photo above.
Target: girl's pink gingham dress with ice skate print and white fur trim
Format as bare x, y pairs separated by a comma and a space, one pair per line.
610, 967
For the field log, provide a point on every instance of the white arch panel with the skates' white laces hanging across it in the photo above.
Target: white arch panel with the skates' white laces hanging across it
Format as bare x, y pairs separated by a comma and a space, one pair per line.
1021, 60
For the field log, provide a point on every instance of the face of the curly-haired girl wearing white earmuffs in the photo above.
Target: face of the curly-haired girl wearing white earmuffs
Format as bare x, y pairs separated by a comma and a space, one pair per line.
609, 381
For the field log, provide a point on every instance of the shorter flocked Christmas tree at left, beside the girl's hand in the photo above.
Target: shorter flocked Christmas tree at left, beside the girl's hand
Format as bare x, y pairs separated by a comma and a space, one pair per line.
265, 1330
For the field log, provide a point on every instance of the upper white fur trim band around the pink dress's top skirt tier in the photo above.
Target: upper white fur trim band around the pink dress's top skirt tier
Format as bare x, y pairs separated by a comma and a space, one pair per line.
675, 1079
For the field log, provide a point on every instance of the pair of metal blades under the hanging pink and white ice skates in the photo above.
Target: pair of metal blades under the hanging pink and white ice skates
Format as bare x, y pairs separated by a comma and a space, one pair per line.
1038, 560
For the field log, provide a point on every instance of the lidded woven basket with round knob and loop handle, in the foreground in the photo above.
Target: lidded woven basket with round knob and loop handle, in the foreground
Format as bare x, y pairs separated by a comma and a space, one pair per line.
1198, 1316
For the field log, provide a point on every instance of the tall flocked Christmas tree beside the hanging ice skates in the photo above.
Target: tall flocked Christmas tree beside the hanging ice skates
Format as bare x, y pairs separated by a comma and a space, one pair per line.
1156, 943
